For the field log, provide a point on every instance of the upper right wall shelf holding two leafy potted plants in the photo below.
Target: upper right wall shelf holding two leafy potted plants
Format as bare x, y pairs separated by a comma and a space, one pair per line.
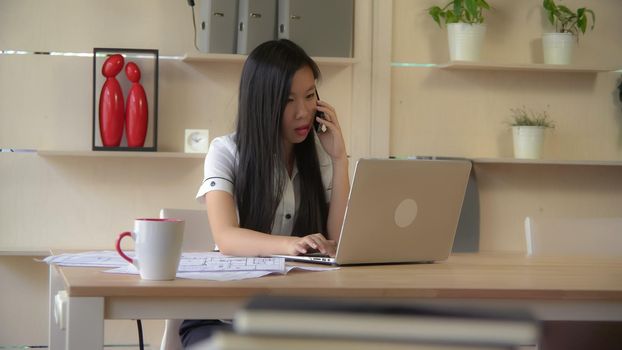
539, 67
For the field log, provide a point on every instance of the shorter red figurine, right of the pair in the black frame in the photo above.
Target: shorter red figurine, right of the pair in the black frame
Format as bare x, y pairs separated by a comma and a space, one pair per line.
136, 111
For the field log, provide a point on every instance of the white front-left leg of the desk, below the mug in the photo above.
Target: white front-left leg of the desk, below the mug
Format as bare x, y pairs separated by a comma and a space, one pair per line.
85, 323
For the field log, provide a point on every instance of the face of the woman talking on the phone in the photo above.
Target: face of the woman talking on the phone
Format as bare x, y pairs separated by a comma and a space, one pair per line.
300, 108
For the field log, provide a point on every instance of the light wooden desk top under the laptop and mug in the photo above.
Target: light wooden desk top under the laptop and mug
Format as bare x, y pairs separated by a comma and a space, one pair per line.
478, 276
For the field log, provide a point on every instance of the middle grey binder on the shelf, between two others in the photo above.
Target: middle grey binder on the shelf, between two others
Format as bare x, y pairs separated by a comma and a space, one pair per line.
256, 23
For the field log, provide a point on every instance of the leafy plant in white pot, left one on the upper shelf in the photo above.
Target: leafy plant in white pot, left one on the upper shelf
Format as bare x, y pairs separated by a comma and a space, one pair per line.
465, 27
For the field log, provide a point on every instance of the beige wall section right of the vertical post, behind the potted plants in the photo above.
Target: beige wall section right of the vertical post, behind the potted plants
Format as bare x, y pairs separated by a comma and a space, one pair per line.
466, 113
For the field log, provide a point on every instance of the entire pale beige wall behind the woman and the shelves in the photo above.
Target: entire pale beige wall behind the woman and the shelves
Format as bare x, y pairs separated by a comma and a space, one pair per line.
45, 103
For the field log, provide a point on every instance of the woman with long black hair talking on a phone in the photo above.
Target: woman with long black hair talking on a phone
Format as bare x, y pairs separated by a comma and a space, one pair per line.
274, 187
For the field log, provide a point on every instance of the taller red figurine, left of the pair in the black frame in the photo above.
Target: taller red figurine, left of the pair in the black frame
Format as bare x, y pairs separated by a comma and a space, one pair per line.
111, 111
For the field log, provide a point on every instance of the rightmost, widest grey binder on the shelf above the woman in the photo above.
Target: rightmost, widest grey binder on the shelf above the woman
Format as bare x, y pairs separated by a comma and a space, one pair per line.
320, 27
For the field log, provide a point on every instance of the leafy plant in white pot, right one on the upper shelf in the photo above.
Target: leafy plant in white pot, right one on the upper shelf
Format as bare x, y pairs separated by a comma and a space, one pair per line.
558, 46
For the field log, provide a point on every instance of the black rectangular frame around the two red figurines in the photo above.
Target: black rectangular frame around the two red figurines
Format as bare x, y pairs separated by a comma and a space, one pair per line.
148, 62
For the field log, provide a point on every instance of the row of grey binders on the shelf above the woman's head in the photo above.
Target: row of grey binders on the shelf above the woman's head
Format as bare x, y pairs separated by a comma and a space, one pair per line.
321, 27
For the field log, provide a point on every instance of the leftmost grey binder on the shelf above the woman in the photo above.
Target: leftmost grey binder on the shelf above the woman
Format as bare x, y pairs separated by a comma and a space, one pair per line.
216, 27
